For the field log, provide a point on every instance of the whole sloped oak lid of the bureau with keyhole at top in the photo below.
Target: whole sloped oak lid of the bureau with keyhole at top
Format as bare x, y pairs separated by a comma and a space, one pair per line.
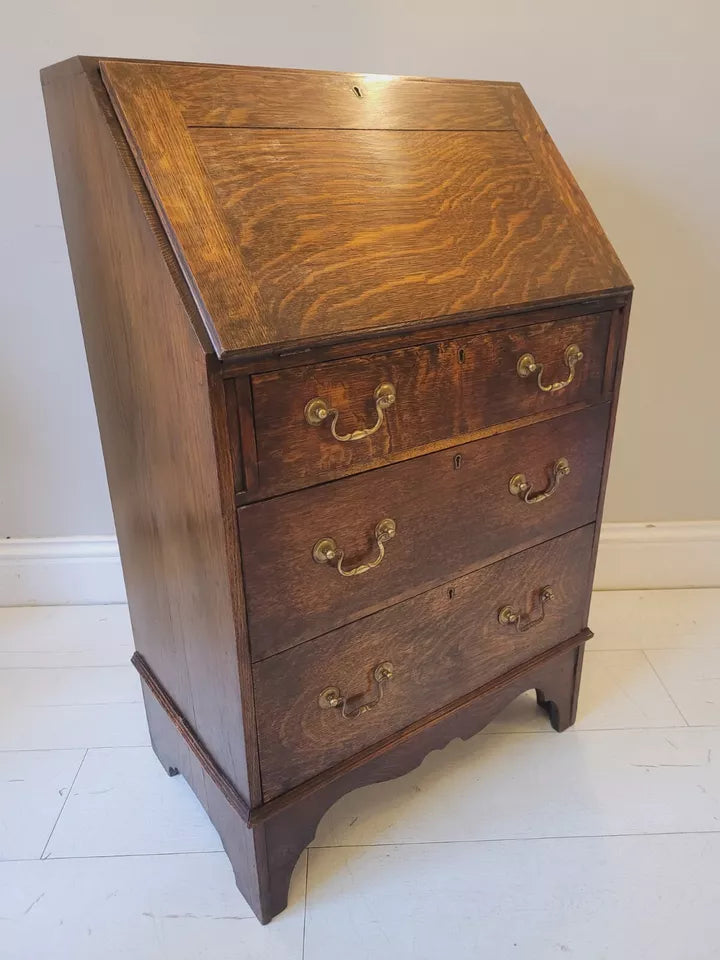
311, 207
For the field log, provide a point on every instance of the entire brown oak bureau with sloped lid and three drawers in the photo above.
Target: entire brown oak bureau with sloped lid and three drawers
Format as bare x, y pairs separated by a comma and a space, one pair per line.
355, 344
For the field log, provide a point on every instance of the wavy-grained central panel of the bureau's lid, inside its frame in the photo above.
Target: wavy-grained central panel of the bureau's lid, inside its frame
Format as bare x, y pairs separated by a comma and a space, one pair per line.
377, 228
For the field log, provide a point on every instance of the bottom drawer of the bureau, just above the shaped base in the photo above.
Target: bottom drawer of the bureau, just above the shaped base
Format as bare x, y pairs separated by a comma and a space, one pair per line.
440, 645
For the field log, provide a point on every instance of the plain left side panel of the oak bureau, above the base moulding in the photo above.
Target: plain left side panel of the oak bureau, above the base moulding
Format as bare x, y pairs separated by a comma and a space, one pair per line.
159, 404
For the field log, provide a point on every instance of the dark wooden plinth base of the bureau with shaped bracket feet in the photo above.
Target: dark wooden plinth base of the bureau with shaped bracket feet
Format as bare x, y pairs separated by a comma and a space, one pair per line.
264, 856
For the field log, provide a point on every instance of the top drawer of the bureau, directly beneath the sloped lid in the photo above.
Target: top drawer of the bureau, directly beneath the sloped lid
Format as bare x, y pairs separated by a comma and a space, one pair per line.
441, 391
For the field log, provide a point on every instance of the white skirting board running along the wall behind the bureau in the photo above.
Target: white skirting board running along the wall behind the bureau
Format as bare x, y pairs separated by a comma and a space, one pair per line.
632, 556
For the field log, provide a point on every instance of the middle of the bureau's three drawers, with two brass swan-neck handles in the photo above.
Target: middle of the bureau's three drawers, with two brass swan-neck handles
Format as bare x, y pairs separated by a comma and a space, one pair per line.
453, 511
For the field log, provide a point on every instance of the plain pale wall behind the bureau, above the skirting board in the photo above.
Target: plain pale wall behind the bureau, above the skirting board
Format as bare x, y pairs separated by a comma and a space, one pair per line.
629, 90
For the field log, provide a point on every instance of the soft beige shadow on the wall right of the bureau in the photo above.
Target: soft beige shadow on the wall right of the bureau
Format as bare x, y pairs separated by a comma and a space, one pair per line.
668, 404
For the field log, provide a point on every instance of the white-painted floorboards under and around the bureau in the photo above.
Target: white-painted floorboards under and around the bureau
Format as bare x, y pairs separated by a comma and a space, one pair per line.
602, 842
